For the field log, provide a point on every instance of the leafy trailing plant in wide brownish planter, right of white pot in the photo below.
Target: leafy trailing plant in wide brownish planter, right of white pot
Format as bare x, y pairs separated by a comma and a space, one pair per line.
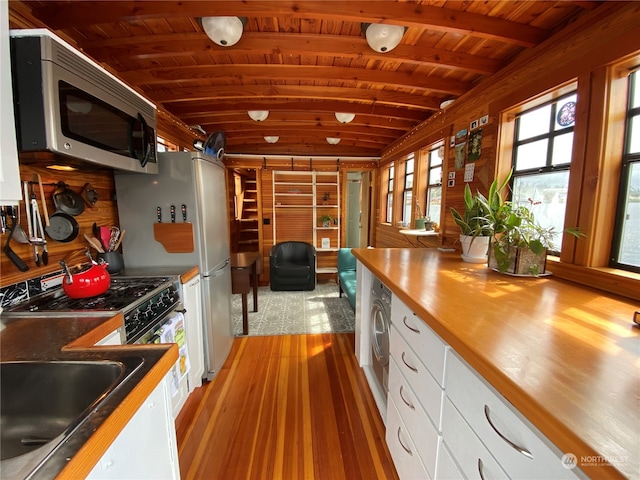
519, 244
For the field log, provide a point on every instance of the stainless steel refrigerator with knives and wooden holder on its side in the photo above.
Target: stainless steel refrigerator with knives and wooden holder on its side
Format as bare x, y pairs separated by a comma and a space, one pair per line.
196, 181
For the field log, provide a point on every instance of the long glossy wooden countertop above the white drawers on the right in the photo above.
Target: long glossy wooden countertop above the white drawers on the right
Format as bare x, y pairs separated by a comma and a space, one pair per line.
566, 356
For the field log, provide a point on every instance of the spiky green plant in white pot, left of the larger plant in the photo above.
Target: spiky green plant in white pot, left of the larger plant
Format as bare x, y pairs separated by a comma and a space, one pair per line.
475, 228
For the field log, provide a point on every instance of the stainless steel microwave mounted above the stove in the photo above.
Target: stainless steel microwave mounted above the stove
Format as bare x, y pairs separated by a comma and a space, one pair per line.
67, 104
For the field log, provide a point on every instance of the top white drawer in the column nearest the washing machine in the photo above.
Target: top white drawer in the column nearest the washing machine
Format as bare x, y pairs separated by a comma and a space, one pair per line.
430, 347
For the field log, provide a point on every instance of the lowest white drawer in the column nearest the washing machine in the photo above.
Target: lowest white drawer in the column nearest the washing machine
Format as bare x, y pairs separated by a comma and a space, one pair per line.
402, 448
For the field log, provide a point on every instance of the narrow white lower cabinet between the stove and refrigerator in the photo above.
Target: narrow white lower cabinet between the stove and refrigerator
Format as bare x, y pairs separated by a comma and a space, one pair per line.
192, 300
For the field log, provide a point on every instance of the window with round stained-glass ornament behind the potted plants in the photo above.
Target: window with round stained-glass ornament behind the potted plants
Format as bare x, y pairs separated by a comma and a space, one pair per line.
543, 145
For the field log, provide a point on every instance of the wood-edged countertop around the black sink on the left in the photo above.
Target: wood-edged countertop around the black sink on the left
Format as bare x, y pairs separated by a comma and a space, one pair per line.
72, 338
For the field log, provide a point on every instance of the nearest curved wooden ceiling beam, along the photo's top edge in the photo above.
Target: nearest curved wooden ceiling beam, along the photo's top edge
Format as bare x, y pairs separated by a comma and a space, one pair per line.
405, 13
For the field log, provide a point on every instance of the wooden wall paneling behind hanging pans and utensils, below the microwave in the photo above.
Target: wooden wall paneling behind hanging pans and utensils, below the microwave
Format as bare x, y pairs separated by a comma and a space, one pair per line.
104, 213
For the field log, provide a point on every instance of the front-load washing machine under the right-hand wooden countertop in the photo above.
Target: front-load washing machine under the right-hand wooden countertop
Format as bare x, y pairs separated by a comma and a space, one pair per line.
380, 323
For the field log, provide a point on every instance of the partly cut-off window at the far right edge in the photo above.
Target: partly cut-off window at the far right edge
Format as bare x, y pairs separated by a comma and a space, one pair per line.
626, 239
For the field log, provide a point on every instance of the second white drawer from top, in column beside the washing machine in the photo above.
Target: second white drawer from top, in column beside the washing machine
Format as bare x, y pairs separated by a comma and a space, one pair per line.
425, 388
